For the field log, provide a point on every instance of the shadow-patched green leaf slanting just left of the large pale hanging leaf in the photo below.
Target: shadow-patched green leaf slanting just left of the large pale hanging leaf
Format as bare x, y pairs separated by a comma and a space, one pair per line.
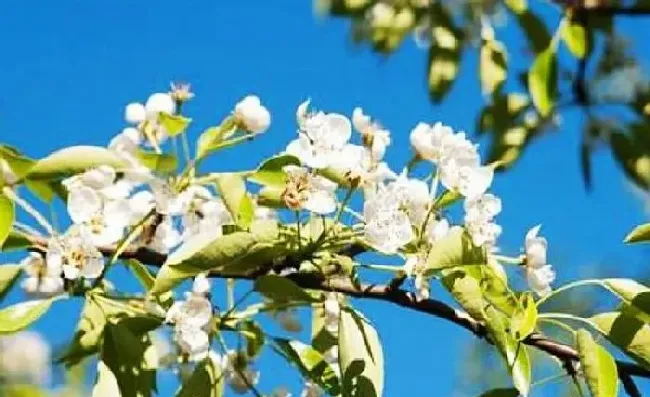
310, 363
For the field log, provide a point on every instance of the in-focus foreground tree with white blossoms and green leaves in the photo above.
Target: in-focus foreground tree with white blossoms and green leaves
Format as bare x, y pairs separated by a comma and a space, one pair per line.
292, 231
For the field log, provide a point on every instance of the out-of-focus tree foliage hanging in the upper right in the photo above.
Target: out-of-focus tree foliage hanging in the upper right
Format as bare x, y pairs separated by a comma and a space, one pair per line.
575, 58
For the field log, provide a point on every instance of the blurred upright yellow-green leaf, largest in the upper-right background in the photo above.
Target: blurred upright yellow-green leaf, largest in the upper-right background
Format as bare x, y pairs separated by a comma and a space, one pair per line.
542, 80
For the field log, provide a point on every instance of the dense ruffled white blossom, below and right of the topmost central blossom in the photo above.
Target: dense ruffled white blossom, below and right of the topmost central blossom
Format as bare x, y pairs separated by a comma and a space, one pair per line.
387, 227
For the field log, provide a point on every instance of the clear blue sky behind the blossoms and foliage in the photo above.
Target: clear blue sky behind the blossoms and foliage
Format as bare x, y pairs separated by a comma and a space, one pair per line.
70, 67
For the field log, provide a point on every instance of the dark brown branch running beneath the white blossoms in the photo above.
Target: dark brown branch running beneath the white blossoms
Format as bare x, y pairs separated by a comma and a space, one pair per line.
380, 292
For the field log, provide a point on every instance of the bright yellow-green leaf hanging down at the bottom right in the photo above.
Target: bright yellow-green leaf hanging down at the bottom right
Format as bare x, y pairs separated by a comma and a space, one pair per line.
598, 366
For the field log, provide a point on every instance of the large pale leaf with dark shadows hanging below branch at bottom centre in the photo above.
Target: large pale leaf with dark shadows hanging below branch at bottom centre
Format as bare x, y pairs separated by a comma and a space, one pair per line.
360, 356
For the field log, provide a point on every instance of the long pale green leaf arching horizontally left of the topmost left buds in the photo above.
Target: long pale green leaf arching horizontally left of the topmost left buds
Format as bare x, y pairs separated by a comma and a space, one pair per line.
73, 160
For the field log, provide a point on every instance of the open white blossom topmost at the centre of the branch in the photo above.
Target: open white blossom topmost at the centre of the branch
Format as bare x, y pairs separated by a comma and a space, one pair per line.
320, 139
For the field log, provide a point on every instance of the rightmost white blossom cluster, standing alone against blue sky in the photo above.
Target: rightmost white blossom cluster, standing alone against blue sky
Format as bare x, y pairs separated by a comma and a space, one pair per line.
539, 274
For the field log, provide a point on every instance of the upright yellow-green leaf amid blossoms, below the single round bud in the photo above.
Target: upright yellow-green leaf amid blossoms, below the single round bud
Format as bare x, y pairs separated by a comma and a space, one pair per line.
233, 191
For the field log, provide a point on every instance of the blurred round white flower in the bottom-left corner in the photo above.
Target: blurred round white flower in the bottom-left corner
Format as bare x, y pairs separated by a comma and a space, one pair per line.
25, 357
